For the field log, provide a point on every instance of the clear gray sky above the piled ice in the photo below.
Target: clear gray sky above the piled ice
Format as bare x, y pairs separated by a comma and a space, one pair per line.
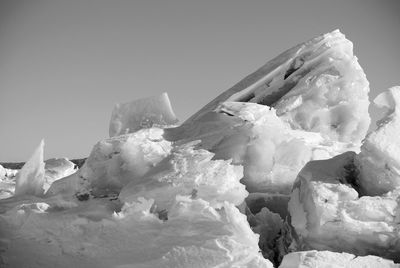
63, 64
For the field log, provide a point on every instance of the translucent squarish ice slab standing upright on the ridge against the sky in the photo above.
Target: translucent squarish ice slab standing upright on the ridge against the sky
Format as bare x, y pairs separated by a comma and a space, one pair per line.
144, 113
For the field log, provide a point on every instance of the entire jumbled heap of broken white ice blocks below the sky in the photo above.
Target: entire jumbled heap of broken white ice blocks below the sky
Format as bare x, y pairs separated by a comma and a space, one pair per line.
220, 190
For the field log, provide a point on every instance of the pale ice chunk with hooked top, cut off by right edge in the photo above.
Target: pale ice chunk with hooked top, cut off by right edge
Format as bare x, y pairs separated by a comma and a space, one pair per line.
379, 159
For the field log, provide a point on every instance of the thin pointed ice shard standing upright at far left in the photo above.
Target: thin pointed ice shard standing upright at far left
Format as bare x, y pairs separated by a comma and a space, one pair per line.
30, 179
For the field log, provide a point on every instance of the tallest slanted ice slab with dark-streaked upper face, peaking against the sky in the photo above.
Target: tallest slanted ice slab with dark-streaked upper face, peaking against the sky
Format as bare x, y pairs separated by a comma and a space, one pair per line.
316, 86
